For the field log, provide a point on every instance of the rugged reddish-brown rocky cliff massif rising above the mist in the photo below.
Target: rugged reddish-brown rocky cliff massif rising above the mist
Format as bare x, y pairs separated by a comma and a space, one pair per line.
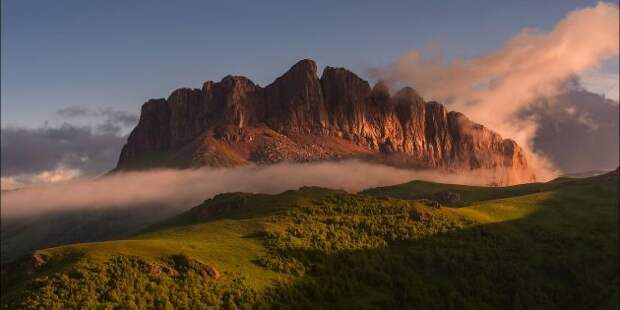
300, 117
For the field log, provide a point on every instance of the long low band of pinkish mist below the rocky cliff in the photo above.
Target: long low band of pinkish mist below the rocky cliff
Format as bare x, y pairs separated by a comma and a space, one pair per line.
185, 188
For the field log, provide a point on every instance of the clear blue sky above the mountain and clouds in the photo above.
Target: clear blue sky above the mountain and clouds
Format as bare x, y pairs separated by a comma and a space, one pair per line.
119, 53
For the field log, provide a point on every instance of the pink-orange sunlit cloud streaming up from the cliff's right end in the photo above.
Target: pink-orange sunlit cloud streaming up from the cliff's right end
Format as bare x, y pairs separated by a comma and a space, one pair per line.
493, 88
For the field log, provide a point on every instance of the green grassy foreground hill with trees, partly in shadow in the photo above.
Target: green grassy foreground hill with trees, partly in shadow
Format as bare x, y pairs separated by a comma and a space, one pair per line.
550, 246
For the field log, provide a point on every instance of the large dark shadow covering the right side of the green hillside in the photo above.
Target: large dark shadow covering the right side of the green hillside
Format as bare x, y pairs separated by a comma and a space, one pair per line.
563, 257
